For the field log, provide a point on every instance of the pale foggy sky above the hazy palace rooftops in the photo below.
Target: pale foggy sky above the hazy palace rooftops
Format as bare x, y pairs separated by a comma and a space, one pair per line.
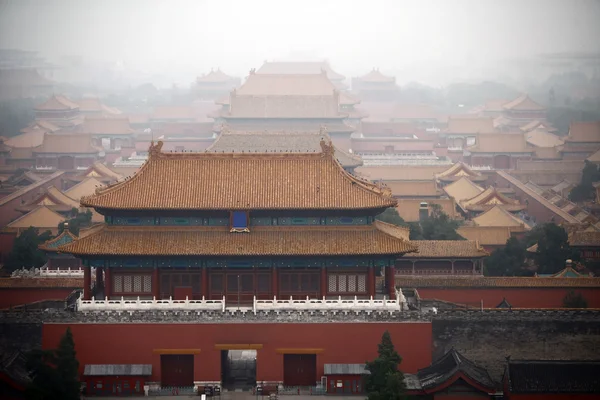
428, 36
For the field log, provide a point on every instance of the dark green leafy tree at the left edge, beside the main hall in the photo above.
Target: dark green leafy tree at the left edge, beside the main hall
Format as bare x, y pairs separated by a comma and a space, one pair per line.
25, 251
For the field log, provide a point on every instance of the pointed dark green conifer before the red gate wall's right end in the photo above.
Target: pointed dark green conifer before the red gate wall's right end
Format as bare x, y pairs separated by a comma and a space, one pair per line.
385, 381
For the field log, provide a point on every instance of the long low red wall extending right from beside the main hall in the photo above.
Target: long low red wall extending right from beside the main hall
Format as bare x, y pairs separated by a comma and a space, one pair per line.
517, 297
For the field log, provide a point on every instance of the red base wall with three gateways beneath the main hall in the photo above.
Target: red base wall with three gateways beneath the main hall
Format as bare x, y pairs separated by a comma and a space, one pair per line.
334, 343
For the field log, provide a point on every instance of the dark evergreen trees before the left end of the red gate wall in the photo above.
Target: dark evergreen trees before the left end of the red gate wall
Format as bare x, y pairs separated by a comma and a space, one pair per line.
54, 373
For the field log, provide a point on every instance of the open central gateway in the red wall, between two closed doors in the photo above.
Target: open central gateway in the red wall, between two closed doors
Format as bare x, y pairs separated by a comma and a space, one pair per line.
238, 369
